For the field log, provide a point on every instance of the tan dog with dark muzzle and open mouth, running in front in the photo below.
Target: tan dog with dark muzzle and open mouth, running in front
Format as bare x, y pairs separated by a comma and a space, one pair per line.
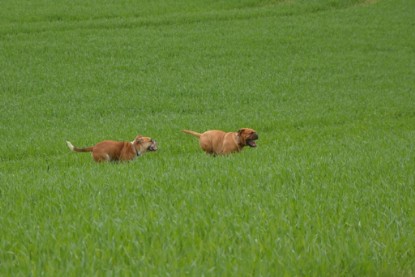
217, 142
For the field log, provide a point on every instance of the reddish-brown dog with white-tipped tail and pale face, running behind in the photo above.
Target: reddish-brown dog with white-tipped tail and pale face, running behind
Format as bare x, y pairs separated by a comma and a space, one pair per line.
109, 150
